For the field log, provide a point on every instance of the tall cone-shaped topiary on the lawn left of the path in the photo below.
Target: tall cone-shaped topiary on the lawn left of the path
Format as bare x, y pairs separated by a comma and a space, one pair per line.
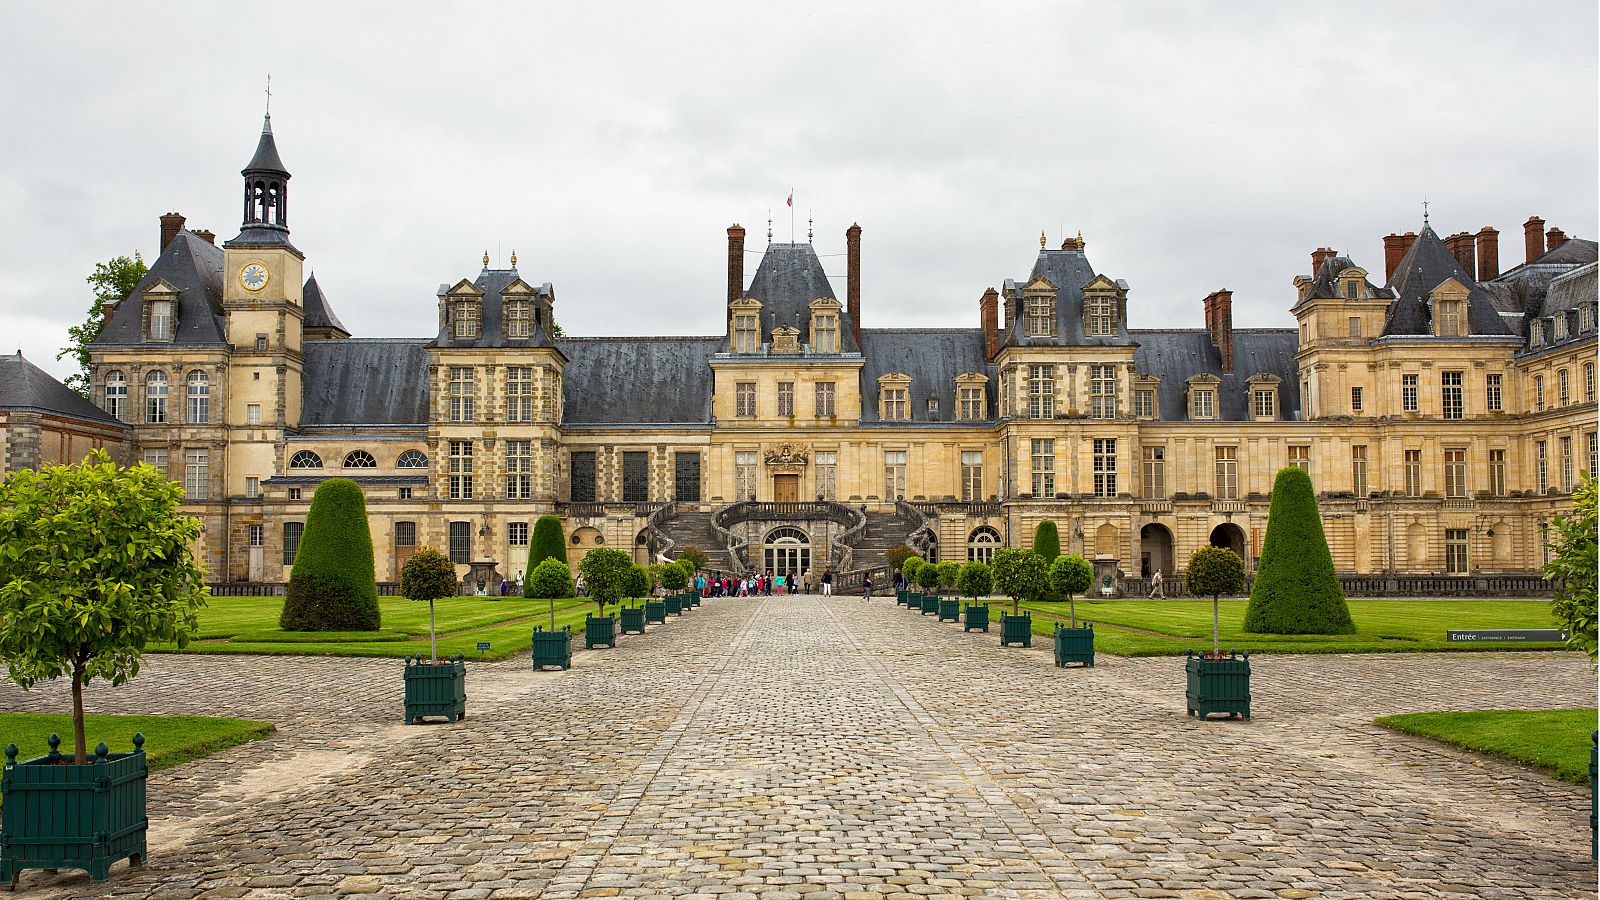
334, 585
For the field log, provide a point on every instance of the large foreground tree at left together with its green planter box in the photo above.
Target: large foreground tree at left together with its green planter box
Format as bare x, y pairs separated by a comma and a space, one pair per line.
95, 566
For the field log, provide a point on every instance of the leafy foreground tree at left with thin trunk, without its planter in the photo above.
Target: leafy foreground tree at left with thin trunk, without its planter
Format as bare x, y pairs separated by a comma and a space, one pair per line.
95, 566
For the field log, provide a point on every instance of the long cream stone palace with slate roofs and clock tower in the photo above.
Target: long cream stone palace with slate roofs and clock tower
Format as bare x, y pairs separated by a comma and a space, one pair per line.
1444, 409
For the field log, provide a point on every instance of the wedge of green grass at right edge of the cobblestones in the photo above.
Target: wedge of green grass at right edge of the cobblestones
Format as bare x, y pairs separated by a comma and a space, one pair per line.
1553, 741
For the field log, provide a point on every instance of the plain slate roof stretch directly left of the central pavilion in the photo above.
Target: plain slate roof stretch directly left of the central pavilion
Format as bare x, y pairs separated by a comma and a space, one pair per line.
638, 380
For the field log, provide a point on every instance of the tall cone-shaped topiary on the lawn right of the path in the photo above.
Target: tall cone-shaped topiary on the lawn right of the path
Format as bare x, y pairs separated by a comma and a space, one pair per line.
1297, 590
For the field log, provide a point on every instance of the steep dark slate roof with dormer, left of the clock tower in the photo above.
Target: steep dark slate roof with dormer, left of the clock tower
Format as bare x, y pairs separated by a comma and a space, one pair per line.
191, 265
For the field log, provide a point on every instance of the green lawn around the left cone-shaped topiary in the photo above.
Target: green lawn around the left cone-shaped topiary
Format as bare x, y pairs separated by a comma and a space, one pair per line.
250, 625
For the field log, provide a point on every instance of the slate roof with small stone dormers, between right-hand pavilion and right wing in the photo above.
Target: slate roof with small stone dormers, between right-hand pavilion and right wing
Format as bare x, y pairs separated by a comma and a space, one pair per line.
1180, 355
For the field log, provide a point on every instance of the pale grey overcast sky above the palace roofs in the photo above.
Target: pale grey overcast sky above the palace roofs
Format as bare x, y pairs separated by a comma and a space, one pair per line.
1198, 147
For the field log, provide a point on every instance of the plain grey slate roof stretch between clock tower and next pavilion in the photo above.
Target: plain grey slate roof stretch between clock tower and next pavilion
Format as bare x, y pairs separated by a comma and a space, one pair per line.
366, 382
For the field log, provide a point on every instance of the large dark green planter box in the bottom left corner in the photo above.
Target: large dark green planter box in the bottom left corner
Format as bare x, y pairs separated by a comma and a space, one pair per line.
65, 816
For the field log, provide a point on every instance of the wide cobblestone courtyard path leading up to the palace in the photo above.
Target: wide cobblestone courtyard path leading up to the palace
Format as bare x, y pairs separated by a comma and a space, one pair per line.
798, 747
